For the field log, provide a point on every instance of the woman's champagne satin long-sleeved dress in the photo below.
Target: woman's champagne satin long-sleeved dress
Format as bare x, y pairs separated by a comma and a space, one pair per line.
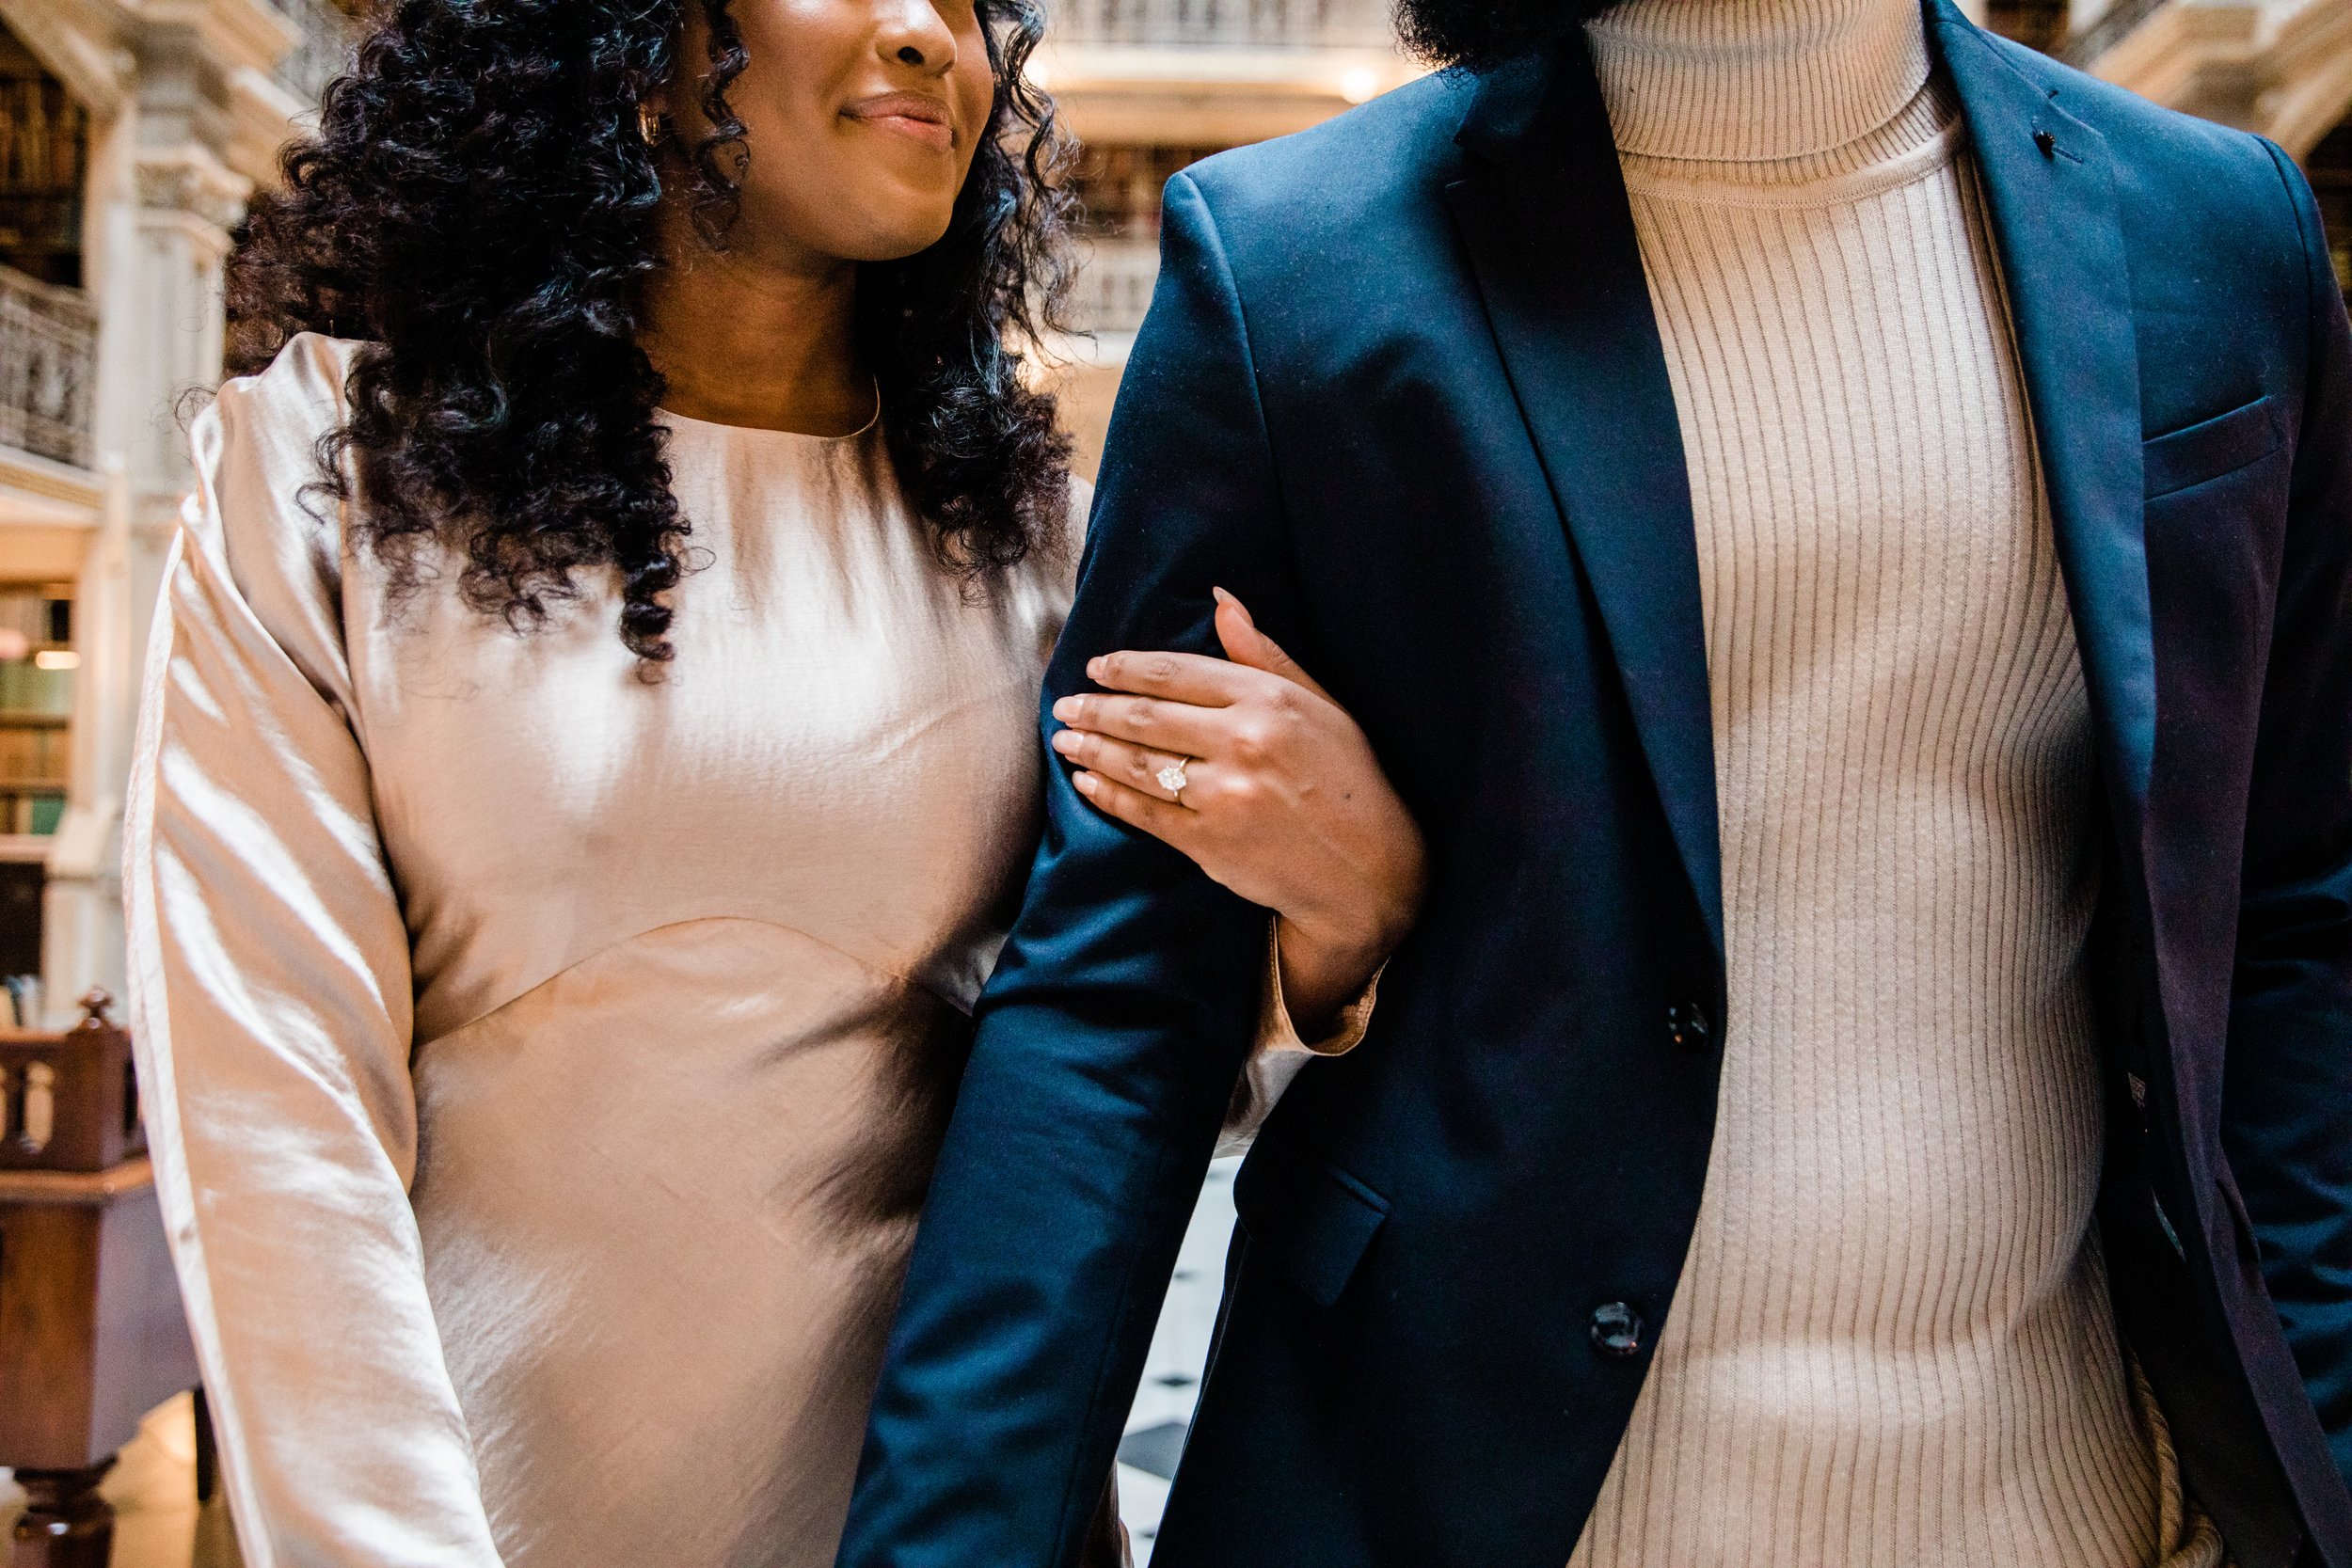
544, 1064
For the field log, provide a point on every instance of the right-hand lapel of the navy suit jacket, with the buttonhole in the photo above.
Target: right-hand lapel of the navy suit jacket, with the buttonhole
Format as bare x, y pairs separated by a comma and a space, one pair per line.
2050, 185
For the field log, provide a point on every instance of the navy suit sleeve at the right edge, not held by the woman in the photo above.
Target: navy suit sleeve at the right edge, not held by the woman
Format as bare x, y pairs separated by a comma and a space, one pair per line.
2287, 1104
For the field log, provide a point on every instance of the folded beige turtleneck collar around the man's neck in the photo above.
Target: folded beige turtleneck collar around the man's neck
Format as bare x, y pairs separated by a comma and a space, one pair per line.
1756, 81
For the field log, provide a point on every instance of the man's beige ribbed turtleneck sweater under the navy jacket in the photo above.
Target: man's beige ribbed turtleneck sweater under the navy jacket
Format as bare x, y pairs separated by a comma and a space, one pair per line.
1892, 1343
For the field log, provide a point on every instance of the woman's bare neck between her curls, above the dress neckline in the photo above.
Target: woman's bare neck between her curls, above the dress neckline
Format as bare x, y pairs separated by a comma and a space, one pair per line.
756, 342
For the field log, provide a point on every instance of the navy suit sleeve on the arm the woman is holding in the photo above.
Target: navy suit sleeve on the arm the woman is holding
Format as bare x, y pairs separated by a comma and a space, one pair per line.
1118, 1019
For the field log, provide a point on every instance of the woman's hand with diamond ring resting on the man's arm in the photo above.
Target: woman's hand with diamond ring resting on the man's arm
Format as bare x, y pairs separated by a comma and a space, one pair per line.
1281, 798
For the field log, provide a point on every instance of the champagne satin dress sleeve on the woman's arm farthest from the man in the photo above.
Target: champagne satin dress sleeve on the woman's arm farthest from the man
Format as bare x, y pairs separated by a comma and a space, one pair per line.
274, 1021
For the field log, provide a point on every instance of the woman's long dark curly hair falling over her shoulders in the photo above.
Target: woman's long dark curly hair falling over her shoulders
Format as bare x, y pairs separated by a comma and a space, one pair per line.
479, 208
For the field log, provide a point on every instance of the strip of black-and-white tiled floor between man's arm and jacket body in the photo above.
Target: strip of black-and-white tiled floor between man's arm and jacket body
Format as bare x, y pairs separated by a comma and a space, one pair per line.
1172, 1372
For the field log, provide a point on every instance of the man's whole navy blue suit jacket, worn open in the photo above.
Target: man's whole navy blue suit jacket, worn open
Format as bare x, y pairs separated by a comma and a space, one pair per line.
1403, 391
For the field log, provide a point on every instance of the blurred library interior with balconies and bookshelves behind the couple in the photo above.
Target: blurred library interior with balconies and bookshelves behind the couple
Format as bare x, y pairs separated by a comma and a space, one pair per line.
135, 133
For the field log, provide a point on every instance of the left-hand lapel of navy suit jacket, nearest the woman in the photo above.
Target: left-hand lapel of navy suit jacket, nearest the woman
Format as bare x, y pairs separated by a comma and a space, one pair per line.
1551, 241
